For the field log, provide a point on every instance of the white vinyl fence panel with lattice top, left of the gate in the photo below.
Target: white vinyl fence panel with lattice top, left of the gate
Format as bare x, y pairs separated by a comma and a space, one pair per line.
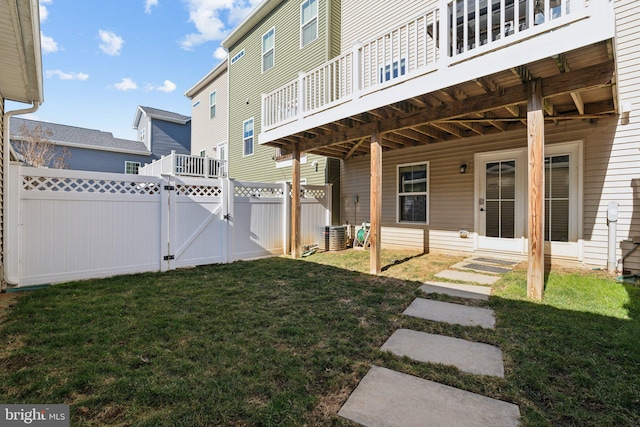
72, 225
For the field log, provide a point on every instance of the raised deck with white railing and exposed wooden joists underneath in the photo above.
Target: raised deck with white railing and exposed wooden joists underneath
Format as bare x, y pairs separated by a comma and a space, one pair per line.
432, 97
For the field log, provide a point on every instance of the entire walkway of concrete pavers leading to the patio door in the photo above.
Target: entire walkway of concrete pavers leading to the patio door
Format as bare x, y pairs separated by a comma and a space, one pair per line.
389, 398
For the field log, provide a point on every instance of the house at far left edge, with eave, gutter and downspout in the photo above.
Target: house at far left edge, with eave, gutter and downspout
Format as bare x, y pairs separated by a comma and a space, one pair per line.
20, 80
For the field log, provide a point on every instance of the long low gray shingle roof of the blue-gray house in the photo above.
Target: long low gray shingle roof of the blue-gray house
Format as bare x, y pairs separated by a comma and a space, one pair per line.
72, 136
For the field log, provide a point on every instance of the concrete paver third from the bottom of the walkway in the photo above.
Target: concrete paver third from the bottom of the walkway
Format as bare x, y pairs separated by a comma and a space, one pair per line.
451, 313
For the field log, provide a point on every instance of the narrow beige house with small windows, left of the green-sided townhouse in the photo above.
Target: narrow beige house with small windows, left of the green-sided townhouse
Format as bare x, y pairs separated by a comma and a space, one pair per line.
210, 113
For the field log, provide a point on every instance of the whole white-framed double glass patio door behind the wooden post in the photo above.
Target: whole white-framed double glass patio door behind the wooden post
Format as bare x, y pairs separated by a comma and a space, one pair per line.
501, 200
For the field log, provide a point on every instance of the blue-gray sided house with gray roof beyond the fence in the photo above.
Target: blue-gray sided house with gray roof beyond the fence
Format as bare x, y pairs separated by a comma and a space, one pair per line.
159, 131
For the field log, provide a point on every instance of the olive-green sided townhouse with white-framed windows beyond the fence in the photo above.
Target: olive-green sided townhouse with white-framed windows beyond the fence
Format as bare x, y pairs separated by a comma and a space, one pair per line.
279, 39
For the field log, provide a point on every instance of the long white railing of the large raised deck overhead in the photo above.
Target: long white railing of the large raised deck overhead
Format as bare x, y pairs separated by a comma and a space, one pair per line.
447, 32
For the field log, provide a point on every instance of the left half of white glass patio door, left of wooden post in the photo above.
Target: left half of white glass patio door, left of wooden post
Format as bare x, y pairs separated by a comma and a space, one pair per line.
500, 202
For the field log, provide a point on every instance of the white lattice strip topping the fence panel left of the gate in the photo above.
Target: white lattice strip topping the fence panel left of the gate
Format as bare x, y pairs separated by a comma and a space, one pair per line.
82, 185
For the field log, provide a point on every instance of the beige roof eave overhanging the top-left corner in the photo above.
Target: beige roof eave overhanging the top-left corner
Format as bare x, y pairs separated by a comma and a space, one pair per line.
21, 64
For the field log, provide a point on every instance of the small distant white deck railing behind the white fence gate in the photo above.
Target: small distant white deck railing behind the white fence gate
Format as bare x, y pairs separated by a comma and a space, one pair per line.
185, 165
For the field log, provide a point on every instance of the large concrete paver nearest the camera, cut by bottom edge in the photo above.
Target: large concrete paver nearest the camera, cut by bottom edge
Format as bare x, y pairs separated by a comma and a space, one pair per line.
389, 398
